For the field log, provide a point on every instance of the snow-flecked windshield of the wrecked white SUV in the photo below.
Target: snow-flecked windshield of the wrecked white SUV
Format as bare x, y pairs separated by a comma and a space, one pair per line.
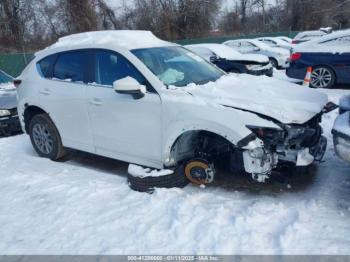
177, 66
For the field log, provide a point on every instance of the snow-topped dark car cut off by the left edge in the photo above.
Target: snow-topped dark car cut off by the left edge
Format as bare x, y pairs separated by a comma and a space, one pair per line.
9, 122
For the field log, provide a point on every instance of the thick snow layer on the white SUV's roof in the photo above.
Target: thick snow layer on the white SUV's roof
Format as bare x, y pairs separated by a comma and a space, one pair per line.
129, 39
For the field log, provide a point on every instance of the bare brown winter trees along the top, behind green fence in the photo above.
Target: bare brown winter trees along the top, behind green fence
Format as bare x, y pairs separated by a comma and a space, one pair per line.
27, 25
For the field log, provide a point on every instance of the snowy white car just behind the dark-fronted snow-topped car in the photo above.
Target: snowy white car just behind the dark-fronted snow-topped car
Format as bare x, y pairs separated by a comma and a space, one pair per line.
279, 57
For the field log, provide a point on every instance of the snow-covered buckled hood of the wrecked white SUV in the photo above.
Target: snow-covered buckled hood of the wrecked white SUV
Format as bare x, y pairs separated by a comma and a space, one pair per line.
286, 102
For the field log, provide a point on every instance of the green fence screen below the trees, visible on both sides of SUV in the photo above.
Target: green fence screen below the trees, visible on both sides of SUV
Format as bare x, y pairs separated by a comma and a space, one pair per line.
13, 64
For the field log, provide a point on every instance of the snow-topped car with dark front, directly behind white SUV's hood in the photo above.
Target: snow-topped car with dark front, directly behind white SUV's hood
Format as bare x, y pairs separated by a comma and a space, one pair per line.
232, 61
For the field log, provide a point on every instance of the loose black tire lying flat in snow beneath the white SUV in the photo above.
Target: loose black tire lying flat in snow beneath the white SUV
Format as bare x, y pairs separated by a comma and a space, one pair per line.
148, 184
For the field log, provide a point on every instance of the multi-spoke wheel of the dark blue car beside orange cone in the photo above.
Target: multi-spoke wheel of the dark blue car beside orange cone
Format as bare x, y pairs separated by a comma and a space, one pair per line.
322, 77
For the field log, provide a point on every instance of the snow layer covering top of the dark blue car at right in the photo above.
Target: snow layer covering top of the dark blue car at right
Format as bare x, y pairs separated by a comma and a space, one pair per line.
326, 43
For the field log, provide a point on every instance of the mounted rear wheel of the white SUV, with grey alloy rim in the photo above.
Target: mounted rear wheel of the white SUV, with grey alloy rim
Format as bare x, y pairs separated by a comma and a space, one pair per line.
45, 137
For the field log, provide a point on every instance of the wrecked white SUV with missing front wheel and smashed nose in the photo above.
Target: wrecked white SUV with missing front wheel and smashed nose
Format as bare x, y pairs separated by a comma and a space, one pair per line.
131, 96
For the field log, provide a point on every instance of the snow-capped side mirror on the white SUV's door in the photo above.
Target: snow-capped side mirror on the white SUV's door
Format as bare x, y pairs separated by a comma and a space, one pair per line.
129, 85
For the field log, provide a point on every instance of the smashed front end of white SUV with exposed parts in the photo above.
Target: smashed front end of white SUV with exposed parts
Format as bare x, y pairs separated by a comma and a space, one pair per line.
297, 144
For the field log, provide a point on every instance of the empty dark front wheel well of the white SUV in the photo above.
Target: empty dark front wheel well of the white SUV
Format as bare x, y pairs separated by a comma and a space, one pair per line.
199, 144
